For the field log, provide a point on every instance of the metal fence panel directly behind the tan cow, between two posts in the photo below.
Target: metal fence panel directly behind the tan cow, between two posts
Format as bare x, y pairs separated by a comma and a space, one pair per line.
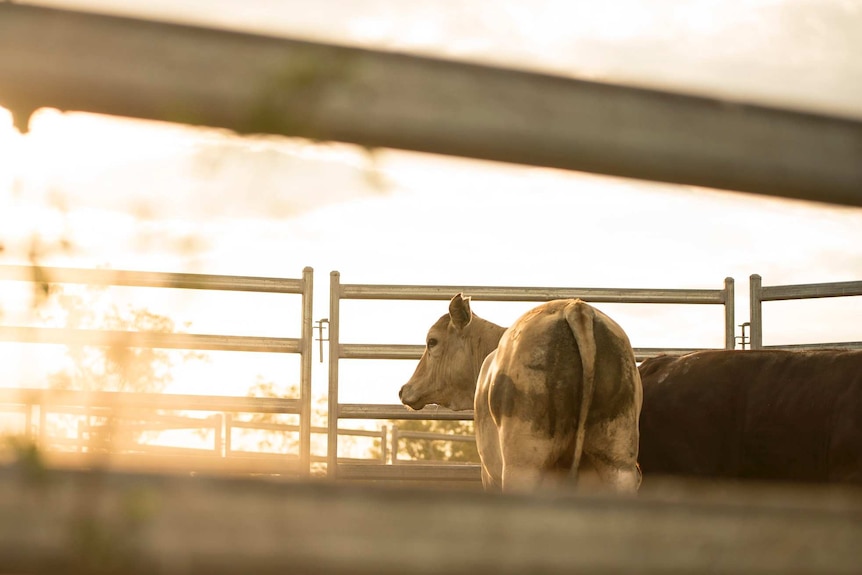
339, 350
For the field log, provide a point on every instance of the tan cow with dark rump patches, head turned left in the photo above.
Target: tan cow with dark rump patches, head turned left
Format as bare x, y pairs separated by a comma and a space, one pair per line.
559, 384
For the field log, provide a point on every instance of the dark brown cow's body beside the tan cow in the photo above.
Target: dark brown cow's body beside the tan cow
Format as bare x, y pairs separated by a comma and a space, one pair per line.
766, 414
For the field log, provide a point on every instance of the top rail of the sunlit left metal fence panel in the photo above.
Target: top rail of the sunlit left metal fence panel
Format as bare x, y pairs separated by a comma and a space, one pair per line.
40, 274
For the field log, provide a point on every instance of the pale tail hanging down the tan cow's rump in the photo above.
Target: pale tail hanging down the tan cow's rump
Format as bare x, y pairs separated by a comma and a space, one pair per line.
580, 317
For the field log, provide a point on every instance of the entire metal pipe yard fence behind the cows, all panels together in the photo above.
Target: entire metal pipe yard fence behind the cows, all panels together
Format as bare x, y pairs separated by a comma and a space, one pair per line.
217, 415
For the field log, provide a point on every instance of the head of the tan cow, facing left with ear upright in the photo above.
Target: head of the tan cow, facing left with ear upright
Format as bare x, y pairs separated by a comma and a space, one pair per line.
455, 347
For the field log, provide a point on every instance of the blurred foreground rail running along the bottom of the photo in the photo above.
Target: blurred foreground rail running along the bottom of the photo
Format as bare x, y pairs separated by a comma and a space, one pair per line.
76, 522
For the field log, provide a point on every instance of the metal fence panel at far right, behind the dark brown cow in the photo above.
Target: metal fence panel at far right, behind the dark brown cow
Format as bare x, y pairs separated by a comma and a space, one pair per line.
760, 293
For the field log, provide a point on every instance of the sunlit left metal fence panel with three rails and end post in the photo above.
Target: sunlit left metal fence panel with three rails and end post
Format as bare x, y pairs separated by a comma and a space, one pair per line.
56, 398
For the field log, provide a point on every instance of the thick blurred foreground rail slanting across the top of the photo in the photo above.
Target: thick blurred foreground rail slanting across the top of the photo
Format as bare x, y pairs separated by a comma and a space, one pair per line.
260, 84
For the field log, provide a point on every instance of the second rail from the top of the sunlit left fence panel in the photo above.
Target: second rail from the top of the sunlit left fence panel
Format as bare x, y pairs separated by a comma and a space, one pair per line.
150, 339
